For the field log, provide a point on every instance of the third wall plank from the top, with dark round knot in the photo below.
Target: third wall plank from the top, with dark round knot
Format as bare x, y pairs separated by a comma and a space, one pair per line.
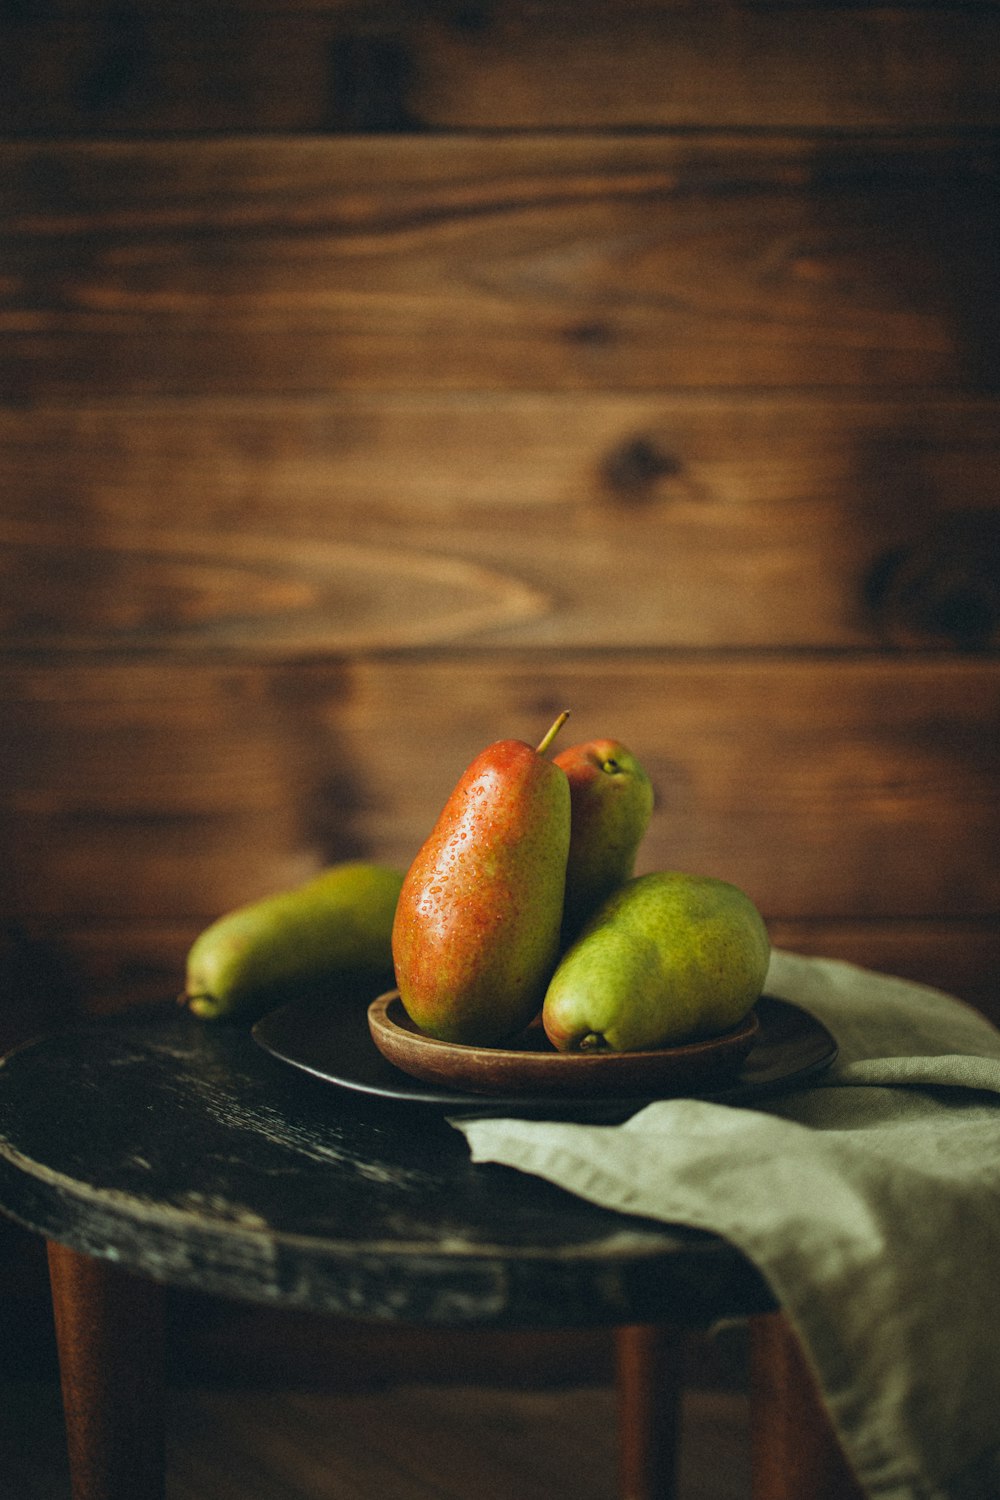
352, 523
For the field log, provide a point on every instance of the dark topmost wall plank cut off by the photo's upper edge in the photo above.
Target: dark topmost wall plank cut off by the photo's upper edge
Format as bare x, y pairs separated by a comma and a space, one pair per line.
71, 67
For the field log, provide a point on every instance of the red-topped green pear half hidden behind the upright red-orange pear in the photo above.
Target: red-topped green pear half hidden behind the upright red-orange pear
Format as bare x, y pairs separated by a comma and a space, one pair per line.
611, 799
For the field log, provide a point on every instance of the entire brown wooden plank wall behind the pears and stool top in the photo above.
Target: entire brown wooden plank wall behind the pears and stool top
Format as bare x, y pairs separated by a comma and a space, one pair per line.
379, 380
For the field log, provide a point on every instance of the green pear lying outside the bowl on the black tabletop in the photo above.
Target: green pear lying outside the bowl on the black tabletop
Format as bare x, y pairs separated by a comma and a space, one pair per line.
335, 928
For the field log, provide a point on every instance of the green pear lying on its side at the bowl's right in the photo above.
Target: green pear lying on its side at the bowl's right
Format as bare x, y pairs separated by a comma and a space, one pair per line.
668, 959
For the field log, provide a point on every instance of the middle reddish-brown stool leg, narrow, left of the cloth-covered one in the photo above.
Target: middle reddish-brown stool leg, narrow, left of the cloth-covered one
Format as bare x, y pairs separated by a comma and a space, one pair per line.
650, 1375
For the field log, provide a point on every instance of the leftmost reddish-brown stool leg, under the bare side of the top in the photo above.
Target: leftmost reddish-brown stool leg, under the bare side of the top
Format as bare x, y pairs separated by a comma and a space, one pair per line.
110, 1336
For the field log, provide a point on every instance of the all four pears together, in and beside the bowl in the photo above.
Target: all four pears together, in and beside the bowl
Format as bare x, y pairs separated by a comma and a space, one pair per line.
521, 907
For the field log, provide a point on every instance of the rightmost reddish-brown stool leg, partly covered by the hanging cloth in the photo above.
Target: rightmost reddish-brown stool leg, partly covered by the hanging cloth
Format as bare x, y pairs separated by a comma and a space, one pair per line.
795, 1454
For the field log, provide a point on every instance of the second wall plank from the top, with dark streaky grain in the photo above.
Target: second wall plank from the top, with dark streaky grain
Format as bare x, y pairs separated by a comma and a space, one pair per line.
507, 263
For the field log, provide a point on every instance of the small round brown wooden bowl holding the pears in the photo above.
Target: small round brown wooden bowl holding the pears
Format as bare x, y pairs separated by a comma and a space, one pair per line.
531, 1066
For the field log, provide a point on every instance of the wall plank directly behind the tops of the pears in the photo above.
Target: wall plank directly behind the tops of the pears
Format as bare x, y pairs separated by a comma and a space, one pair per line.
854, 788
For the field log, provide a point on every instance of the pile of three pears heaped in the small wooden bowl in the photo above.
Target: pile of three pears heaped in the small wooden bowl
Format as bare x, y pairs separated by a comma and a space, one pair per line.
524, 905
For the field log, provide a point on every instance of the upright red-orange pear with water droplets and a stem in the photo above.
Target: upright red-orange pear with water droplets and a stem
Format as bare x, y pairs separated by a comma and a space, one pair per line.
478, 926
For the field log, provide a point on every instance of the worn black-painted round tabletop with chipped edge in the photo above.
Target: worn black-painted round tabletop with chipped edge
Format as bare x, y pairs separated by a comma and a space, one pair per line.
184, 1151
